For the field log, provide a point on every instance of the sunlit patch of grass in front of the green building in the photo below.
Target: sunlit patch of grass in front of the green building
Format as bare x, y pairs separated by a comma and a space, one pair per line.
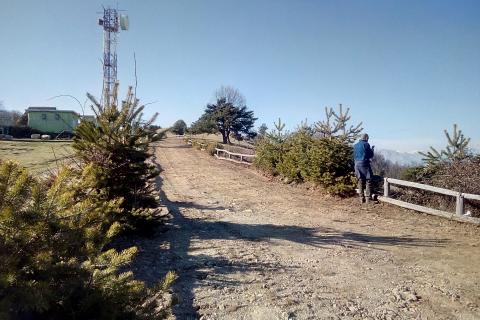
37, 156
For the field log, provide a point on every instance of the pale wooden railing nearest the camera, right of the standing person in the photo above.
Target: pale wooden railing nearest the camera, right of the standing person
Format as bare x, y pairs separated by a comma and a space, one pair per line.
460, 197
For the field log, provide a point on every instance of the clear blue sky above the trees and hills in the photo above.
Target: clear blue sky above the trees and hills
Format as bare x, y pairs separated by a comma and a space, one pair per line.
408, 69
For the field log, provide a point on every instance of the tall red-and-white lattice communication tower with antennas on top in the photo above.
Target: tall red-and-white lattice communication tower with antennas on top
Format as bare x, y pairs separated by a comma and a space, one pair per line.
112, 23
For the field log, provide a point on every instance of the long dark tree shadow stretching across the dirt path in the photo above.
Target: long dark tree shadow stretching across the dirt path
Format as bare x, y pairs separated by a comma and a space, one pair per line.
170, 249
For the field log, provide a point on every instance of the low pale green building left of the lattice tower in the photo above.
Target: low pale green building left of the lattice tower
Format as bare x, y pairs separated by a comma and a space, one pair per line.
49, 119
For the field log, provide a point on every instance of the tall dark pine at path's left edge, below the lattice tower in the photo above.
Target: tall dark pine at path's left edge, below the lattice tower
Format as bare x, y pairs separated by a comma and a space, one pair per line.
118, 148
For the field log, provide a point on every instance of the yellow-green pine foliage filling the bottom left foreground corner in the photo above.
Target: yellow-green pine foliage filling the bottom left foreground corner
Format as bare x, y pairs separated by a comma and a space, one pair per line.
52, 240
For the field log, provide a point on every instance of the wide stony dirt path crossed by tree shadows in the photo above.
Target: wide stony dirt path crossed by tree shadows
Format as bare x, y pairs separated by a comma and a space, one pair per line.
249, 248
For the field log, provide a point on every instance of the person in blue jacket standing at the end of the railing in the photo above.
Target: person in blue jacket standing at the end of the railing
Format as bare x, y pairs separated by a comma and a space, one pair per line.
362, 155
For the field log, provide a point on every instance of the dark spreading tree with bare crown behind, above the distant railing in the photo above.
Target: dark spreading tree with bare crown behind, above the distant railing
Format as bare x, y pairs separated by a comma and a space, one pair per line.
228, 115
